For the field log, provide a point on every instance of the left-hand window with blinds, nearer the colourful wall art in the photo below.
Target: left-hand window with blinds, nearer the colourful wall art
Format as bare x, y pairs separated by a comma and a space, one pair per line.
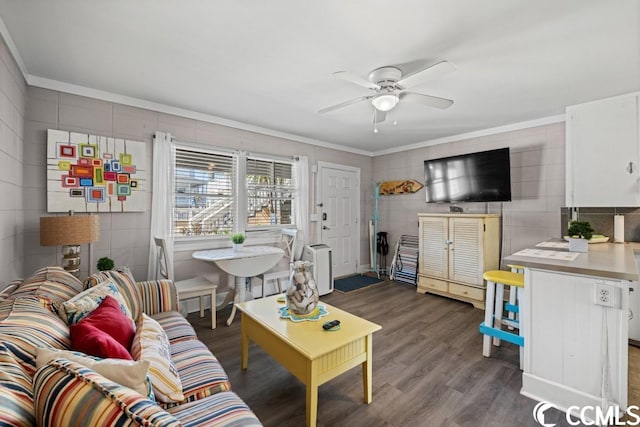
204, 202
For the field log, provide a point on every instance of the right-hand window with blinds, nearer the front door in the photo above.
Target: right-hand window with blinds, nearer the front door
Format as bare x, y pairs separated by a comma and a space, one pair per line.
270, 192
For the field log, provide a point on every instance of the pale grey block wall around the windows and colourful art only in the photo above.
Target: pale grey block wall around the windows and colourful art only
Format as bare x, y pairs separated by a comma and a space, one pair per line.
124, 237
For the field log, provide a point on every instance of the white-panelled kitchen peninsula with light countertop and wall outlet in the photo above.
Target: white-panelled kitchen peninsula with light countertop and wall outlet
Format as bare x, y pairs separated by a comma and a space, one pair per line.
575, 320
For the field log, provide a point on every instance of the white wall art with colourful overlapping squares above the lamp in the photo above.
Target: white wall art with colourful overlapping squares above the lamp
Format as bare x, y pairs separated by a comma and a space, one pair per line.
89, 173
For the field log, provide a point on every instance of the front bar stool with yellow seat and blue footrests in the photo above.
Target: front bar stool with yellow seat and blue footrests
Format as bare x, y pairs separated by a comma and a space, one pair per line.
495, 307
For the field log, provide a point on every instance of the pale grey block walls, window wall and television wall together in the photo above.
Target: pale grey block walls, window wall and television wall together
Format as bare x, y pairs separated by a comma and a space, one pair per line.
537, 172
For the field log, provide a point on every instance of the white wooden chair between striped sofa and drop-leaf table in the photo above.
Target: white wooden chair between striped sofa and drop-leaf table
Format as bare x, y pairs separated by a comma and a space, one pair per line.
198, 287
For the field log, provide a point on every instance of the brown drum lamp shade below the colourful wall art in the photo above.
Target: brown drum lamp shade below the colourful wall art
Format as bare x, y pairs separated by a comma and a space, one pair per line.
69, 230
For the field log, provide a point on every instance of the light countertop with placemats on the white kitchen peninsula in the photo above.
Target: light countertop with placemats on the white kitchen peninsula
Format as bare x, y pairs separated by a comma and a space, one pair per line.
609, 260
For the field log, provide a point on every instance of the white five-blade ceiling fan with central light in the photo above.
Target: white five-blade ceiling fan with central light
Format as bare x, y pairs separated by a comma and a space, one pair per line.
390, 88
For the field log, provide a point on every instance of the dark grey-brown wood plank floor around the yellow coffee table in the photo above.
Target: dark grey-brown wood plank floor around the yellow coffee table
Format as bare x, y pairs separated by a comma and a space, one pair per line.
428, 369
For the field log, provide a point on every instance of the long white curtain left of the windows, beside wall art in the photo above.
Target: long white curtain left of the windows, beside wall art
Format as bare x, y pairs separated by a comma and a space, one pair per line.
161, 203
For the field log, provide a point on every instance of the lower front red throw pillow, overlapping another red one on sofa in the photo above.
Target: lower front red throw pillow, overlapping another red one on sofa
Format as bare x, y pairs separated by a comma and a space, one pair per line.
90, 340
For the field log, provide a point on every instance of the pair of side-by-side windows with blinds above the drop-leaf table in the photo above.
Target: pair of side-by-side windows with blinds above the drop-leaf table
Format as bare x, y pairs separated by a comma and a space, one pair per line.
207, 197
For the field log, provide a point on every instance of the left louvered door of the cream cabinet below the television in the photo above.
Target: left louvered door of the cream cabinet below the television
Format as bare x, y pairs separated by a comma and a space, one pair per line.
434, 234
